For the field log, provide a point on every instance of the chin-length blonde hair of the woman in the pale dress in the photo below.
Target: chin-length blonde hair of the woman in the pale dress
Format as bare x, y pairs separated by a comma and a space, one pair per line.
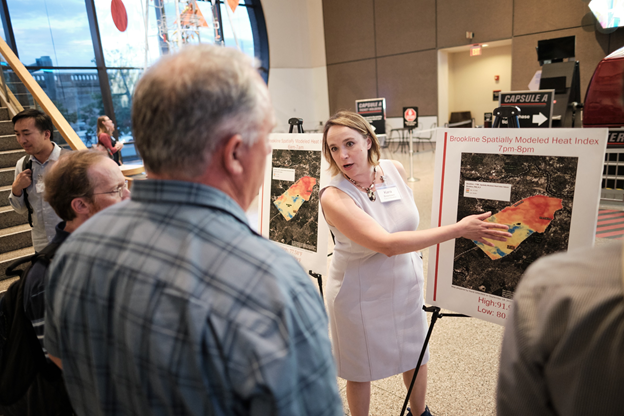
358, 123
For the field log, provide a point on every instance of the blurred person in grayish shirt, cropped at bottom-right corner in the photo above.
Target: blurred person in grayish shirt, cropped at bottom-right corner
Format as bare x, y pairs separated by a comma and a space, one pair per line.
563, 349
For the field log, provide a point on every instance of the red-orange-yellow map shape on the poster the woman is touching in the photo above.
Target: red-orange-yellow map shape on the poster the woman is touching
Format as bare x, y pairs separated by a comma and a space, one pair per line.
525, 217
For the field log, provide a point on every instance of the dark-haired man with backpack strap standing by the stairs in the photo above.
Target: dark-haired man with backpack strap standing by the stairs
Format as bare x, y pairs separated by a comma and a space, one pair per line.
33, 130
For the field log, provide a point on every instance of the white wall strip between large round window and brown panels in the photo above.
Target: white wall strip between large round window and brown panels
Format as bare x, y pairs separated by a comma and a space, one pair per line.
298, 73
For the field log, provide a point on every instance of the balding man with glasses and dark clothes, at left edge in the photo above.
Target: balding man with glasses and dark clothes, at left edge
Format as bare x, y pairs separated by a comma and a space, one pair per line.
77, 186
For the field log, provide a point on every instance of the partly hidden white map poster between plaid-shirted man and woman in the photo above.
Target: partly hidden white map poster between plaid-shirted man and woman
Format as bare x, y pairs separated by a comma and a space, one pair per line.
289, 207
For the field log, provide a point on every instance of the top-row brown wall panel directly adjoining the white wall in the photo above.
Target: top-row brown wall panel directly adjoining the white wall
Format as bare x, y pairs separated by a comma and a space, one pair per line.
349, 30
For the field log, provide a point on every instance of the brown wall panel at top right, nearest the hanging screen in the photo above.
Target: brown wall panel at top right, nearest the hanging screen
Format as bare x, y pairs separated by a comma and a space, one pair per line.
533, 16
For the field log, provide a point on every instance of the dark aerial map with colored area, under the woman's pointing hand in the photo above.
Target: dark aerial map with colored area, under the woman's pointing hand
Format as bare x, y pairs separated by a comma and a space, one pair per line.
538, 213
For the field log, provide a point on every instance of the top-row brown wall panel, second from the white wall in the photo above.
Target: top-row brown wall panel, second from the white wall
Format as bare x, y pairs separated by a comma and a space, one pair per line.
404, 26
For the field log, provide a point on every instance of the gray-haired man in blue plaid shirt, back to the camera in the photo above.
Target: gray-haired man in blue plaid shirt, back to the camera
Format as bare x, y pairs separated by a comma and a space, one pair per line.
169, 303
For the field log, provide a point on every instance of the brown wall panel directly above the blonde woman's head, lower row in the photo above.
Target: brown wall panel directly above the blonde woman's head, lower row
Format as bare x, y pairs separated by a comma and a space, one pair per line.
349, 82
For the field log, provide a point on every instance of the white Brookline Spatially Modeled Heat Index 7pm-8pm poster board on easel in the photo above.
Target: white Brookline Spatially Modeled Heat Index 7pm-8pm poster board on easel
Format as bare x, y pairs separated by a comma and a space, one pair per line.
543, 183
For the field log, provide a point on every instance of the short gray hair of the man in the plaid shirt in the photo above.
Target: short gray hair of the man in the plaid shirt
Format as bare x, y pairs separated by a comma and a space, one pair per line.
189, 102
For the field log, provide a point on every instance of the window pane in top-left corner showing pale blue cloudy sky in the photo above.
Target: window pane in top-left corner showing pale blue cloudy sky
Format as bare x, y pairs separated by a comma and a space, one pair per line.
52, 32
